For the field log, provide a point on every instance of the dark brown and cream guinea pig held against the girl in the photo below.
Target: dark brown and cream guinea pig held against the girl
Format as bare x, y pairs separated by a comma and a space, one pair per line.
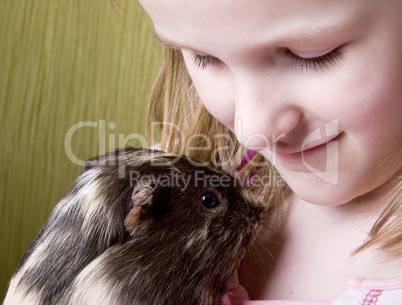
140, 226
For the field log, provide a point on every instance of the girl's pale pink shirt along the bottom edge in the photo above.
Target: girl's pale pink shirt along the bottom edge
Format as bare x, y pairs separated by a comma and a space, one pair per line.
357, 291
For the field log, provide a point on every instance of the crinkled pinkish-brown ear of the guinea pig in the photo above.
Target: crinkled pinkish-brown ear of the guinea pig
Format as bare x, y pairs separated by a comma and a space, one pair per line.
143, 197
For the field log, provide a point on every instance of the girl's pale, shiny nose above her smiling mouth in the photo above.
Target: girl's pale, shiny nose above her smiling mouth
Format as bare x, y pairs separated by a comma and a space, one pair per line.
264, 112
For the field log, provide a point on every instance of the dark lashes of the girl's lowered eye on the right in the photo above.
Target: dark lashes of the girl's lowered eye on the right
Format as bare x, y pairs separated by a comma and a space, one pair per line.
316, 63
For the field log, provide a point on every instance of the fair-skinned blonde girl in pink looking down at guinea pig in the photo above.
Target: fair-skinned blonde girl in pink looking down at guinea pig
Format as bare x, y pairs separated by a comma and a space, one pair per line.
314, 87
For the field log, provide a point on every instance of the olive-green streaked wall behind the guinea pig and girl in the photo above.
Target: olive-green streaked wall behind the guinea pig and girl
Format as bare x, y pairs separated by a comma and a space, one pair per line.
63, 62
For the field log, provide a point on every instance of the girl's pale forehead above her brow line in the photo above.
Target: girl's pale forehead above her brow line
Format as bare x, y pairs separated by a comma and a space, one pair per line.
195, 22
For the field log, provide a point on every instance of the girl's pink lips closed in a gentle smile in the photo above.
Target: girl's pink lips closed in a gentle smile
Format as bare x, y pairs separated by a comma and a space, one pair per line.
311, 150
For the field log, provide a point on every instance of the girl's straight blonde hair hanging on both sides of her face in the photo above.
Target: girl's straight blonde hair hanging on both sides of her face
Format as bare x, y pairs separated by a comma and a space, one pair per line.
186, 127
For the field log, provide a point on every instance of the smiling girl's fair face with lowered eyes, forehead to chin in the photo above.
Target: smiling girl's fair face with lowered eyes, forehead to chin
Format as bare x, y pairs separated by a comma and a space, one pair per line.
314, 86
